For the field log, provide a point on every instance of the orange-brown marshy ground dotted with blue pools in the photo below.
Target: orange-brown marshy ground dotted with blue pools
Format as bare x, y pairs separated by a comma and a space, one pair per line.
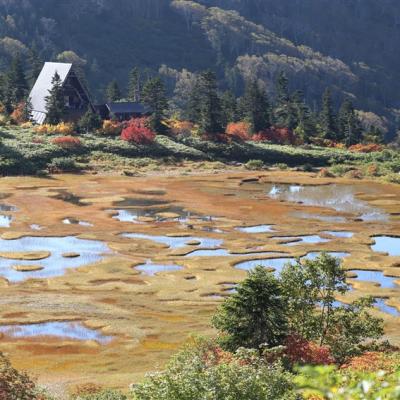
104, 277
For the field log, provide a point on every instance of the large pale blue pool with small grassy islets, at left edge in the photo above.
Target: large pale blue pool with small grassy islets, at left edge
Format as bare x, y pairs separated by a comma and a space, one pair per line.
90, 251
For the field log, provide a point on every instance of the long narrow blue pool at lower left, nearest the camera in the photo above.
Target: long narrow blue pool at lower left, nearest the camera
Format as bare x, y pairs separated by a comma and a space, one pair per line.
62, 330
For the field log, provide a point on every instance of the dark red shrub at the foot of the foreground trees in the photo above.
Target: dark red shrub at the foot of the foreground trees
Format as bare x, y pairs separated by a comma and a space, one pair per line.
301, 351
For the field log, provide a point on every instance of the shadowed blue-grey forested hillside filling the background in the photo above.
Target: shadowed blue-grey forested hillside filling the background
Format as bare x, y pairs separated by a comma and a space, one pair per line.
349, 45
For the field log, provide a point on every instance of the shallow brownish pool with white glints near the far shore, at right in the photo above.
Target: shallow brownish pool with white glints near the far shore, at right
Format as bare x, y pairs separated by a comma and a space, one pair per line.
341, 198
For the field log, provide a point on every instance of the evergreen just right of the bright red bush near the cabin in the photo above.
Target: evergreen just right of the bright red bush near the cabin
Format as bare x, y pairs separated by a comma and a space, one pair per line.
155, 98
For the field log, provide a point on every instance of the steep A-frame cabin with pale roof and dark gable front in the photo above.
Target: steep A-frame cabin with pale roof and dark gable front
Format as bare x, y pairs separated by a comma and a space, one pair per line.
77, 99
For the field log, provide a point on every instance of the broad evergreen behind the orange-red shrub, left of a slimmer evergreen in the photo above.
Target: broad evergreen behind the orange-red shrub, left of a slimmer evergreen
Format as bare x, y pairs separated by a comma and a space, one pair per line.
255, 107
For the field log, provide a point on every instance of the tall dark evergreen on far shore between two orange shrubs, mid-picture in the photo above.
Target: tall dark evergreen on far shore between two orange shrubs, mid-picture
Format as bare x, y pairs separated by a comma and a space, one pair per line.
205, 105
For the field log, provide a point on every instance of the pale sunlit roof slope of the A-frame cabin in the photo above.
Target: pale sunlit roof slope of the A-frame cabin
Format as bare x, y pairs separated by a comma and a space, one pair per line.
42, 86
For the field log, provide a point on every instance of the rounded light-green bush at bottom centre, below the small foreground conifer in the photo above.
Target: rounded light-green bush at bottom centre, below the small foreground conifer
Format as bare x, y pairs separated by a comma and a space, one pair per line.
206, 372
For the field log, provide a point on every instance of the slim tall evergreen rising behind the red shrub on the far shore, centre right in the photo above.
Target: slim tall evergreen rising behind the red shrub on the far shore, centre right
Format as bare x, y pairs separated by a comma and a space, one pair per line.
283, 112
